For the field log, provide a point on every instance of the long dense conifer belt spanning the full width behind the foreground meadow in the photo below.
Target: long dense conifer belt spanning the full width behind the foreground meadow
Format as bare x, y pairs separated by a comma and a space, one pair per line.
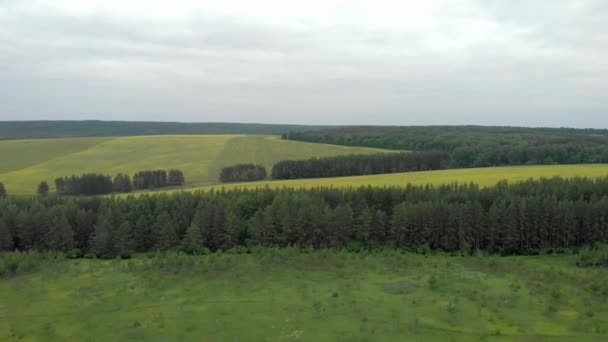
508, 218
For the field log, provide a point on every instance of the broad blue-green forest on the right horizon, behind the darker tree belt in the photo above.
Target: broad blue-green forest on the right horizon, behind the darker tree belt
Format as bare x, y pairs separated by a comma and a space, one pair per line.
475, 146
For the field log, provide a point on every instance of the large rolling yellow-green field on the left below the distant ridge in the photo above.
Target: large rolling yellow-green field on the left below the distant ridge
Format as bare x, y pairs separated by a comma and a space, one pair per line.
27, 162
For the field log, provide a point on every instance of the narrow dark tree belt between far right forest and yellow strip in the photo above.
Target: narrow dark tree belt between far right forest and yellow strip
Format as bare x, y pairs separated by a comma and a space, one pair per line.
365, 164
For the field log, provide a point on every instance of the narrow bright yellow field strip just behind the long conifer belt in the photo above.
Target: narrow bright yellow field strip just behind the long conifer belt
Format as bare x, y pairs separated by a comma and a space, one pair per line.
483, 176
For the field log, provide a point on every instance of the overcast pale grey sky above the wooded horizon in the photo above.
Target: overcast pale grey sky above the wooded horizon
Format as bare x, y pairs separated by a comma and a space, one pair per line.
381, 62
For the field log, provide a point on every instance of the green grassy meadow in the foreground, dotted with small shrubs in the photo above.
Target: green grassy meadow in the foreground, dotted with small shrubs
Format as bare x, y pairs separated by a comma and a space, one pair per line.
278, 295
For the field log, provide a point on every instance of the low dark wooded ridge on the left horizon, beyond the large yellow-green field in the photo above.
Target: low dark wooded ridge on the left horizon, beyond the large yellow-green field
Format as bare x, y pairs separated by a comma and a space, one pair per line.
69, 129
